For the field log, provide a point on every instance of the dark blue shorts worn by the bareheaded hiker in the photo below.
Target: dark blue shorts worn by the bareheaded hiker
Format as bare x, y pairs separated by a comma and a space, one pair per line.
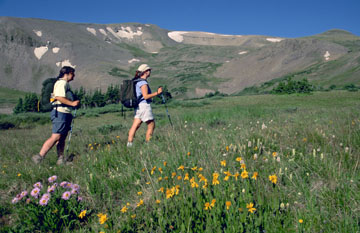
61, 122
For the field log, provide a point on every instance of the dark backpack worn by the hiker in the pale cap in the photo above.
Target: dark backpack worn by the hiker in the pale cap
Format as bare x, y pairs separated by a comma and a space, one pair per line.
128, 93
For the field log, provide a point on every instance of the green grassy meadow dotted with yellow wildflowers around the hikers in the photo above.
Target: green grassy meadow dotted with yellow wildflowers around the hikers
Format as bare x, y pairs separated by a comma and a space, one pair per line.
261, 163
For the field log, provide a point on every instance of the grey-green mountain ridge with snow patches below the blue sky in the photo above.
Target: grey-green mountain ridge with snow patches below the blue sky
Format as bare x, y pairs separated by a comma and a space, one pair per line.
195, 62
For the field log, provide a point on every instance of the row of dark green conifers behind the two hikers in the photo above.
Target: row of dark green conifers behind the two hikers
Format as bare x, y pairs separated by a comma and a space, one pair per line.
91, 99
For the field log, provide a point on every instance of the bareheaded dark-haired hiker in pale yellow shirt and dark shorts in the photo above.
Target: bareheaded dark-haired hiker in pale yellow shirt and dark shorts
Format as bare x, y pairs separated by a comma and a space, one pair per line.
61, 116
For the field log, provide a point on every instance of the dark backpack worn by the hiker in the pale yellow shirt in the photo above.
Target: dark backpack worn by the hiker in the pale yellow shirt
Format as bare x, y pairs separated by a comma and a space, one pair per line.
47, 88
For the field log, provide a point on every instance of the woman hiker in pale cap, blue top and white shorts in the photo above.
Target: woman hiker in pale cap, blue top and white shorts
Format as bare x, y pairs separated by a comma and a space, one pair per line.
143, 113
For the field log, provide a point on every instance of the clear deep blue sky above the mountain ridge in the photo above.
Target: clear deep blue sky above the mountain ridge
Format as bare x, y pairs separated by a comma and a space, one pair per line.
283, 18
